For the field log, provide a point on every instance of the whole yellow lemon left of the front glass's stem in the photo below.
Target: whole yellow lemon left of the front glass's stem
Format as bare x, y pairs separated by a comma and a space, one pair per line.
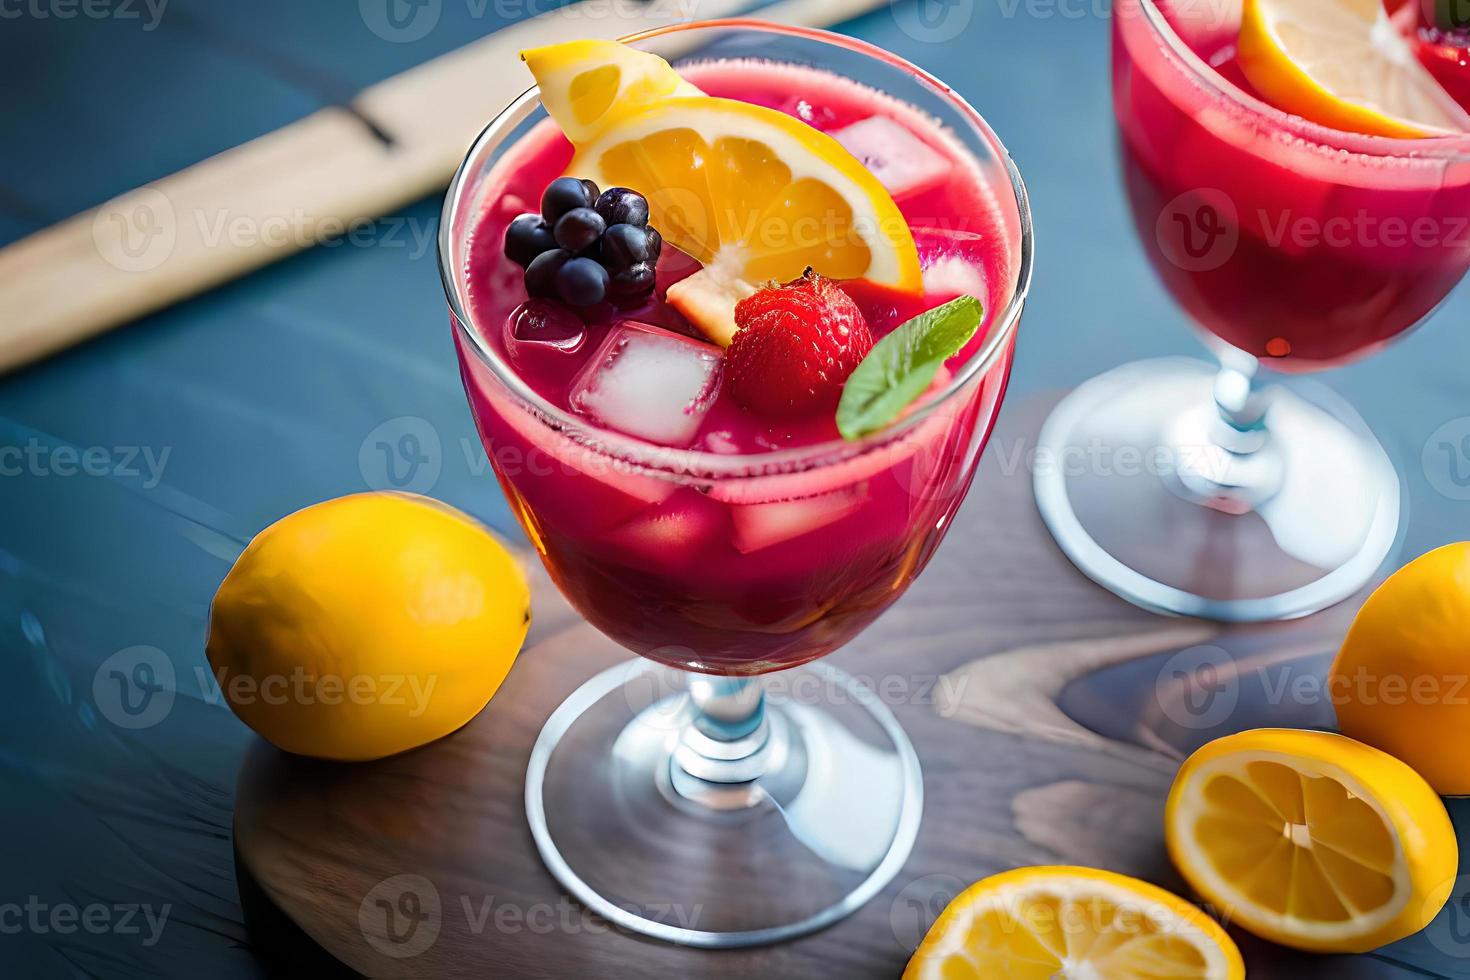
367, 627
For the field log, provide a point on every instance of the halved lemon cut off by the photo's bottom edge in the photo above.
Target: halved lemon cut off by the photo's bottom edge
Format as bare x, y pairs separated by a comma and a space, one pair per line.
1065, 922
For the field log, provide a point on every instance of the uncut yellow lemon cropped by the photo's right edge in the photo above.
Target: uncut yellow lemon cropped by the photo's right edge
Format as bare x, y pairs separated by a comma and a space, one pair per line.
1402, 681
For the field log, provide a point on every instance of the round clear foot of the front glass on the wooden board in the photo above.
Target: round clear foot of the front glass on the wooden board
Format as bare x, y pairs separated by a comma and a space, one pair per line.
820, 821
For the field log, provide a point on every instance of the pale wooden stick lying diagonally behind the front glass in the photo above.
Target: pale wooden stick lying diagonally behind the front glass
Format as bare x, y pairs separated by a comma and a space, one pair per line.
302, 184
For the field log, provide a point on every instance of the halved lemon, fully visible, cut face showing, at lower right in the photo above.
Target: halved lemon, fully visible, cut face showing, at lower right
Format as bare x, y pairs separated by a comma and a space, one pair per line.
1312, 840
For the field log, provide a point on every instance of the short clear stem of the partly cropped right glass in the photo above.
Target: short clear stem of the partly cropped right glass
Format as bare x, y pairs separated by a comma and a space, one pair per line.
1227, 456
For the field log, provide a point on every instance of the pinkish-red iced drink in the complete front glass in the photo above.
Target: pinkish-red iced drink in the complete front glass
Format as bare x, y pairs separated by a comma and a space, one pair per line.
750, 544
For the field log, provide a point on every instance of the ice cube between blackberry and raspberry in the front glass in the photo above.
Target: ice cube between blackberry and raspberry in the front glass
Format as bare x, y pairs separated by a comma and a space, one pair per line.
649, 384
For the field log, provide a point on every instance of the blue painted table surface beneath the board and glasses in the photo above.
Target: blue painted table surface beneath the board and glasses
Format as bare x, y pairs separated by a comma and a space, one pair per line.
214, 418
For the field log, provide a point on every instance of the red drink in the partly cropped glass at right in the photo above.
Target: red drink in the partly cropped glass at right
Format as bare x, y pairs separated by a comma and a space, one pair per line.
1297, 245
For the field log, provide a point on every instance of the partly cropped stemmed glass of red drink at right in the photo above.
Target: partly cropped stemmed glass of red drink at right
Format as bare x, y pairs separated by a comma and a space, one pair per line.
1227, 491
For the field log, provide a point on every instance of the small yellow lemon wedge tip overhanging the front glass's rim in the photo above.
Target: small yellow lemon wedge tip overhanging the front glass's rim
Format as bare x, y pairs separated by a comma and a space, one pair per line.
586, 83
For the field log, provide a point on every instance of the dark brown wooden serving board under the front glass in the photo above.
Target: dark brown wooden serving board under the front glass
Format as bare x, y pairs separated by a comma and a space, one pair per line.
1049, 718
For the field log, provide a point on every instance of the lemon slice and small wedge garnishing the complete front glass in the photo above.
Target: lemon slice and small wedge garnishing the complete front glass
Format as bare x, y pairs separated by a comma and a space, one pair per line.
749, 192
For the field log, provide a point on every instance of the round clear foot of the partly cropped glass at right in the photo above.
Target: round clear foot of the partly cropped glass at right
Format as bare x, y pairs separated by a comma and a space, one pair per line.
1119, 469
